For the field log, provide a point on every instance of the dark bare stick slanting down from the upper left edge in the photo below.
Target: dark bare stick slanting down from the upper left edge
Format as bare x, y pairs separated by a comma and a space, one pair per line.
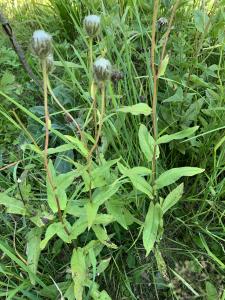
18, 49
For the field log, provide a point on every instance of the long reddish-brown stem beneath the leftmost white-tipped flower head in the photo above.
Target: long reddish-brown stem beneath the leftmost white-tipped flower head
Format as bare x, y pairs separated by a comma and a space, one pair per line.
47, 123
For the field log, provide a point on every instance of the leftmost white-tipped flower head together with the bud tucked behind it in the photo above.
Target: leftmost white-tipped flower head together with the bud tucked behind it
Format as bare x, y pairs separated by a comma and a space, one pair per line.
42, 47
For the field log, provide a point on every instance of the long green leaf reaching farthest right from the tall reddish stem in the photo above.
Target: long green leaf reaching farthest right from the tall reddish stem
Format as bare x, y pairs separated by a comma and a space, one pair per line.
172, 175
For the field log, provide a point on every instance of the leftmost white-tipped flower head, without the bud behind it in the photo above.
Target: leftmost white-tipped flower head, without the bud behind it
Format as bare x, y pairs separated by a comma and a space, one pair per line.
42, 43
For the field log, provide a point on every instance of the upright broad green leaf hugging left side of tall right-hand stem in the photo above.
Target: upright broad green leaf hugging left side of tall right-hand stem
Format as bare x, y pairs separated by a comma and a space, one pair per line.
147, 142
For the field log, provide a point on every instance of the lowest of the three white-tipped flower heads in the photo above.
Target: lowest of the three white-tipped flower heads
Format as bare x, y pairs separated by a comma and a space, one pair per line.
102, 69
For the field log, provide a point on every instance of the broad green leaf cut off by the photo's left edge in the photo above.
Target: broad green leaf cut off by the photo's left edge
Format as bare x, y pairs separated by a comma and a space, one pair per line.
13, 206
